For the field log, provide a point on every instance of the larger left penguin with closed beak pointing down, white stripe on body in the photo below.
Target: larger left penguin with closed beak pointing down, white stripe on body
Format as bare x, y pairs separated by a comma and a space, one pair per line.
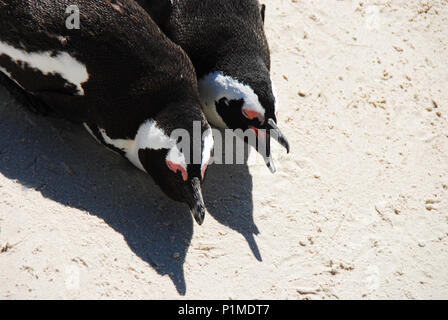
97, 75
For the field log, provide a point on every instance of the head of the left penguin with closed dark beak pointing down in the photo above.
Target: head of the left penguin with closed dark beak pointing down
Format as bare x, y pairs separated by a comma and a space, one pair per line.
177, 158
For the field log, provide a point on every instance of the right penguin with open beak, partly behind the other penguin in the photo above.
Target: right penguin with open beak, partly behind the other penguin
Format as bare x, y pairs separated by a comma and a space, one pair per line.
226, 41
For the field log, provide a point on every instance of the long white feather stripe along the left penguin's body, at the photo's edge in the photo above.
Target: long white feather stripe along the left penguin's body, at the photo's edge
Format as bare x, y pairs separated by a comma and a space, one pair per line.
49, 63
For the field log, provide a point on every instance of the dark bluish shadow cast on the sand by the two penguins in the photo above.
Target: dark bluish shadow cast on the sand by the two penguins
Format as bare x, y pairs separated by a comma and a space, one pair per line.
62, 161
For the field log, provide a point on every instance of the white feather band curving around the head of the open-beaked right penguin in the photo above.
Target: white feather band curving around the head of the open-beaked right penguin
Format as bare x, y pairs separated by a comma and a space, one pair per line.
216, 85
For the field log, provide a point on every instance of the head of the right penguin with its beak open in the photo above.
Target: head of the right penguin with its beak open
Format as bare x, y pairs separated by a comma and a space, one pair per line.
244, 102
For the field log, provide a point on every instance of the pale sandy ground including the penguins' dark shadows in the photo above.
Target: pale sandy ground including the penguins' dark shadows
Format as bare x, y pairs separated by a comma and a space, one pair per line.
358, 210
